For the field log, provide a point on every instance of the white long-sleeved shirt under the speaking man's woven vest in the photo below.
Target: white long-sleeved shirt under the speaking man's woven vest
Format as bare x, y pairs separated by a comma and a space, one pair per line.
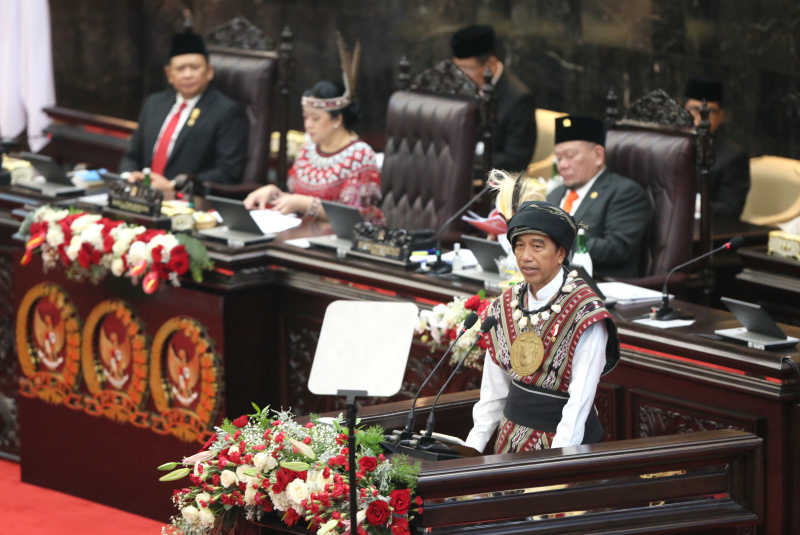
587, 365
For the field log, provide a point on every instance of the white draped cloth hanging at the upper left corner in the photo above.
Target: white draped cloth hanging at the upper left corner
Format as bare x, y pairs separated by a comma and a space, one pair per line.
26, 69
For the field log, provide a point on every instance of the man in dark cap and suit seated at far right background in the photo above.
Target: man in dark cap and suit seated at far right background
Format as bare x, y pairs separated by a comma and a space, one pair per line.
730, 174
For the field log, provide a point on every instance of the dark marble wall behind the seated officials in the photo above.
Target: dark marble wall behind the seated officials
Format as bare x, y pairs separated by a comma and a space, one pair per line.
109, 54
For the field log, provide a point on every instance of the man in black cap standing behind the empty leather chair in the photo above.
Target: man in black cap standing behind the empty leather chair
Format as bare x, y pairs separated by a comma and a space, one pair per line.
514, 137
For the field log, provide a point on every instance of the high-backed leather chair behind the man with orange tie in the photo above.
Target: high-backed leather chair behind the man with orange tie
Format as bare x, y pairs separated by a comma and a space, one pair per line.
656, 145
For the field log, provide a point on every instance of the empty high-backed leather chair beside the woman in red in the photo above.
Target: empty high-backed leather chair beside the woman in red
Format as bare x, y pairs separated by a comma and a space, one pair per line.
431, 132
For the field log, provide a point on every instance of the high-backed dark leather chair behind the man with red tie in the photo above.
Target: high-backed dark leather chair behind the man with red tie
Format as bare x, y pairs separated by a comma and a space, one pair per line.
258, 79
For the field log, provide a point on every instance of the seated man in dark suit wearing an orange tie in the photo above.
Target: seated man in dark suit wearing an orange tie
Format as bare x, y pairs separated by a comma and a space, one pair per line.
614, 208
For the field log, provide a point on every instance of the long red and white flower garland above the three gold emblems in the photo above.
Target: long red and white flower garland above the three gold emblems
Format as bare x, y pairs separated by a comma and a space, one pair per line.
90, 246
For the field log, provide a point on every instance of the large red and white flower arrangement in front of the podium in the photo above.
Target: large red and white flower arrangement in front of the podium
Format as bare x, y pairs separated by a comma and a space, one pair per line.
261, 463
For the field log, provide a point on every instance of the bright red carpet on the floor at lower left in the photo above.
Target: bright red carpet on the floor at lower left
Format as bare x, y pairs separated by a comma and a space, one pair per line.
31, 510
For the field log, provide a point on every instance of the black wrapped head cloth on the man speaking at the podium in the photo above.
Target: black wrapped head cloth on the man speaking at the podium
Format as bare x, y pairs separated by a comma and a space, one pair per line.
542, 217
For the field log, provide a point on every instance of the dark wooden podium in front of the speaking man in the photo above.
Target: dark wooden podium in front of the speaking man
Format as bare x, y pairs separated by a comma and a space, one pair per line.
709, 482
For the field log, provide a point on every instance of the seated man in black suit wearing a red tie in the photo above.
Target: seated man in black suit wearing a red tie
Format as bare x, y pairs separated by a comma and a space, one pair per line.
190, 129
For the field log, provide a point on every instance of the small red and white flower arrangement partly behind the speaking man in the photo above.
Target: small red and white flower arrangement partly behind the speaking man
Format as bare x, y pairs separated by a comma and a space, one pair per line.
441, 325
